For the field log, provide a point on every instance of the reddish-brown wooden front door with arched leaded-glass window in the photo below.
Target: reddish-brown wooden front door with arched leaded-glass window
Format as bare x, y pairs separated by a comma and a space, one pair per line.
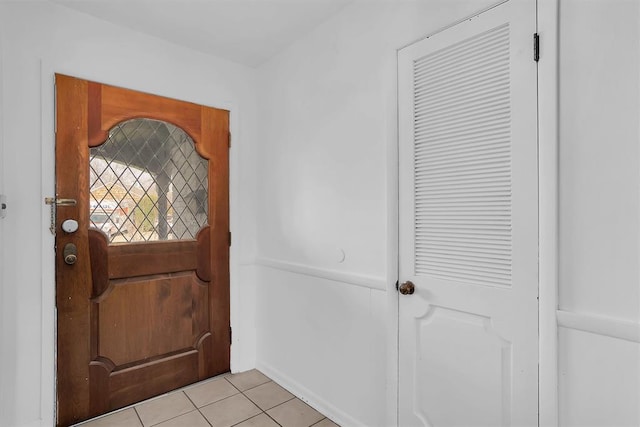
142, 280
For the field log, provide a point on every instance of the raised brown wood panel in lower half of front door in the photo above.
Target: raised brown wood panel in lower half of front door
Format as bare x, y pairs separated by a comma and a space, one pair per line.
149, 316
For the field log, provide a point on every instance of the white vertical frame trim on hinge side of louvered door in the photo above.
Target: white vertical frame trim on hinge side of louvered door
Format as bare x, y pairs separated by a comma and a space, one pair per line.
548, 205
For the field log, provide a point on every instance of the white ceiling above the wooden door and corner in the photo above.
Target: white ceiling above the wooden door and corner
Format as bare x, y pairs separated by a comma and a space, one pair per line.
244, 31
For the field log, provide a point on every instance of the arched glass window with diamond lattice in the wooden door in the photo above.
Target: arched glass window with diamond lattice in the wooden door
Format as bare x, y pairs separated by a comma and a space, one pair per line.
148, 183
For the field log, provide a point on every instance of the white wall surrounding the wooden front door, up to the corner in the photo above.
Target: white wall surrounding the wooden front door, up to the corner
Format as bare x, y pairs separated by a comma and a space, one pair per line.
38, 39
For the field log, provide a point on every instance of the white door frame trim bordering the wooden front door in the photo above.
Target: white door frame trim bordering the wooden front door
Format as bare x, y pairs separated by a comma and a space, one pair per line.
48, 279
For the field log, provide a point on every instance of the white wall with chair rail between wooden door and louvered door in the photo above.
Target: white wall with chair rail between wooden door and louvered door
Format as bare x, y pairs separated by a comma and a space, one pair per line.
327, 177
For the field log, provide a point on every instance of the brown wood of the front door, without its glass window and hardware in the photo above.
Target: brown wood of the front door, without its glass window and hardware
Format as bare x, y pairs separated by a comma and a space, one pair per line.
136, 319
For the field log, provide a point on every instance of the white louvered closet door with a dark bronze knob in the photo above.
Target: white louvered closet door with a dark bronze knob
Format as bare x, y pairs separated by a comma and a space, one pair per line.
468, 336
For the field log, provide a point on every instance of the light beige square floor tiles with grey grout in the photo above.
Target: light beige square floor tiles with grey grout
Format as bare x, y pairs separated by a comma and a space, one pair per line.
249, 399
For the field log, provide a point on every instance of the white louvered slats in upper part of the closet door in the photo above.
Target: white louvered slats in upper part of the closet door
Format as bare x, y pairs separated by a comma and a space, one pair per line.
462, 161
